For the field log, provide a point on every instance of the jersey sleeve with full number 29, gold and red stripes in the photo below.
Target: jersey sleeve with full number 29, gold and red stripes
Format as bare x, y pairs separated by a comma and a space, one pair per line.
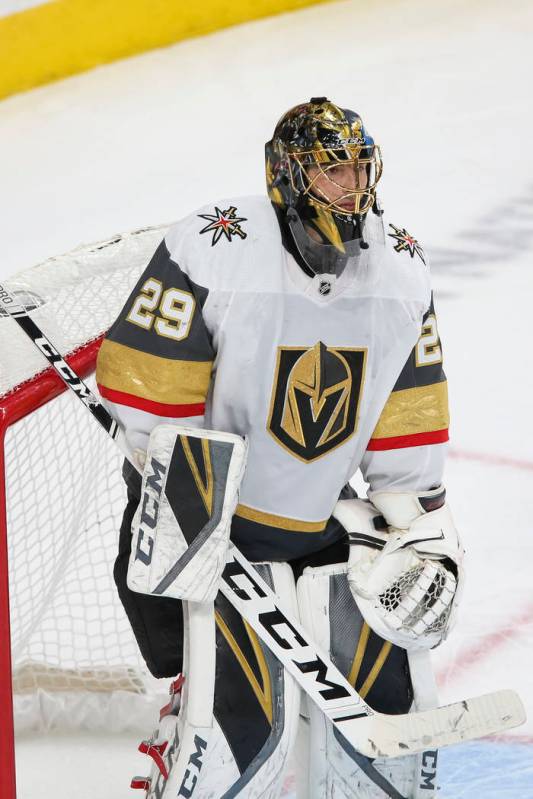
155, 362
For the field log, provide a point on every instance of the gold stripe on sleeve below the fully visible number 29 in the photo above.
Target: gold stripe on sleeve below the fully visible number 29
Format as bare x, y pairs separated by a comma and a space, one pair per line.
151, 377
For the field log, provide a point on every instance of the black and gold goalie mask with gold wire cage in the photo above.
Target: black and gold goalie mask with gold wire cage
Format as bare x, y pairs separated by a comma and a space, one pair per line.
322, 168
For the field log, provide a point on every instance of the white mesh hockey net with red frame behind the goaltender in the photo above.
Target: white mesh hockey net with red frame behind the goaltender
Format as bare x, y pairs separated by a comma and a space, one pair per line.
75, 663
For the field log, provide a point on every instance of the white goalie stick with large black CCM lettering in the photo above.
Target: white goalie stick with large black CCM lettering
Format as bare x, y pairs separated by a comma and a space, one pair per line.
370, 733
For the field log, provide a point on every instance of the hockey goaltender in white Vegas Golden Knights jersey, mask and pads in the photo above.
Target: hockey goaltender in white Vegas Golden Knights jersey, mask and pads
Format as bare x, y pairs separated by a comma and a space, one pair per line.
293, 340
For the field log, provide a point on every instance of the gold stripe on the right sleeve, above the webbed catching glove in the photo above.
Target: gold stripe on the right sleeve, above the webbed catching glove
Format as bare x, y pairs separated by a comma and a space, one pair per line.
422, 409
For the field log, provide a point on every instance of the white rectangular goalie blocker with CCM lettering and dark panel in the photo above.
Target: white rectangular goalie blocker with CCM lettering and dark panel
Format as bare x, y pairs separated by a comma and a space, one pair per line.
181, 528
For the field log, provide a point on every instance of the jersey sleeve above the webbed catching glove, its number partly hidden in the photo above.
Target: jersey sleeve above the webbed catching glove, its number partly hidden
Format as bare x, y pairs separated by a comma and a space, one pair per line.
407, 449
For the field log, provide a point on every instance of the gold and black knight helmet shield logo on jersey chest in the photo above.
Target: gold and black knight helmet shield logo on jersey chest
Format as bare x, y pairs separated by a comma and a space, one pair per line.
315, 398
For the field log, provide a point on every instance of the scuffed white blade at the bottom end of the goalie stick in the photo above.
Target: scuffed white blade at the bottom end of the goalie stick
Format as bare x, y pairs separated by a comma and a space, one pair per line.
382, 735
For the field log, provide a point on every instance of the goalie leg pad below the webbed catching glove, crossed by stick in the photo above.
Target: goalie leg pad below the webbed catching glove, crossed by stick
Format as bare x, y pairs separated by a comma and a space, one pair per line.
381, 674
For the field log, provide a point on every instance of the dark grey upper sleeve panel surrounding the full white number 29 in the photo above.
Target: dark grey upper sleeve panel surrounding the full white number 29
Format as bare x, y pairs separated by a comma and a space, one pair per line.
197, 346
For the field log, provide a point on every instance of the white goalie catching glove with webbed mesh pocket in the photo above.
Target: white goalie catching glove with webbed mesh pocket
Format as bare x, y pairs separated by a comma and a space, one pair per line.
405, 565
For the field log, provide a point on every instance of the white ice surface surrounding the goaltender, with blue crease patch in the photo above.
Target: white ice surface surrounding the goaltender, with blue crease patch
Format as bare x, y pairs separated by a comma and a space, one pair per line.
444, 89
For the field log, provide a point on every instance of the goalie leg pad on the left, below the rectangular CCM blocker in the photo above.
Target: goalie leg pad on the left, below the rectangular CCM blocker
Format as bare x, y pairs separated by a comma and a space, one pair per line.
239, 710
